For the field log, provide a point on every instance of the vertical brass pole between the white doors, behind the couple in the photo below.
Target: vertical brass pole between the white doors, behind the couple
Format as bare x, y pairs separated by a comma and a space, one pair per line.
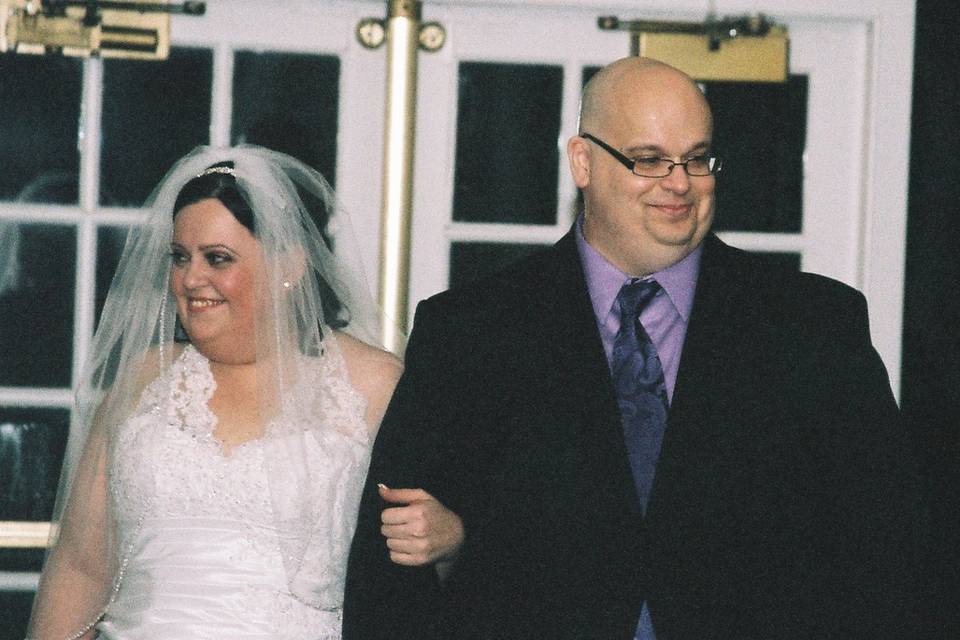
403, 22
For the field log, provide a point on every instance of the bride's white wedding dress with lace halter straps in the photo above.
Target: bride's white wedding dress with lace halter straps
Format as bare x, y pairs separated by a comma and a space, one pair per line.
202, 552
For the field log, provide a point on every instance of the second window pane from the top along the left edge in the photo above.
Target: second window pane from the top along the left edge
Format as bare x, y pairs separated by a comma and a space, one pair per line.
36, 304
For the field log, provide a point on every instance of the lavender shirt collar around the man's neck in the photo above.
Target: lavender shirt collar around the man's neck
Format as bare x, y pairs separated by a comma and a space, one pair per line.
604, 280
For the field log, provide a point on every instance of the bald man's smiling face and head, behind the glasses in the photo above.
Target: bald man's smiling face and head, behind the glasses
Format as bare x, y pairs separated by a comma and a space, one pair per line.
642, 224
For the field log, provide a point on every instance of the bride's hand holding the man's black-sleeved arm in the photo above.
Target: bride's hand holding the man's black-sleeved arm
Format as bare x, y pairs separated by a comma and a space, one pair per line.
421, 530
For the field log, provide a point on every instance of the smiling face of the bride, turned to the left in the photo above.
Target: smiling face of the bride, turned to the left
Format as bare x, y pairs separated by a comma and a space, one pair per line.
214, 265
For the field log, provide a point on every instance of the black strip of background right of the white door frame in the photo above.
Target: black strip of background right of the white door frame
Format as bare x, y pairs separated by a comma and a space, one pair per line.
931, 338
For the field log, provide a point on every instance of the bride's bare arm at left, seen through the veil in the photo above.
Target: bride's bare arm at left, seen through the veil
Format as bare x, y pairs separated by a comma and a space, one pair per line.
75, 583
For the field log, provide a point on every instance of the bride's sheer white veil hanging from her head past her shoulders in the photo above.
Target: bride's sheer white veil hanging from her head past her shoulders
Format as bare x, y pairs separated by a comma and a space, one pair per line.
311, 285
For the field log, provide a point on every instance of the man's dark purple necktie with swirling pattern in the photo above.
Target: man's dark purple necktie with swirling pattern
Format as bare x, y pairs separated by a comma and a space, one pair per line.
642, 397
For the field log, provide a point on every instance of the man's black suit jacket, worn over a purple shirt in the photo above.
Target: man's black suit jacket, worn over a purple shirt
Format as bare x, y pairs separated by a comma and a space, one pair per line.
784, 502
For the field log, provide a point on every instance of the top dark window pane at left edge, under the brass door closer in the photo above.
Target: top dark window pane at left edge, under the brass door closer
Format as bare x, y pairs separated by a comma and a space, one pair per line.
40, 102
